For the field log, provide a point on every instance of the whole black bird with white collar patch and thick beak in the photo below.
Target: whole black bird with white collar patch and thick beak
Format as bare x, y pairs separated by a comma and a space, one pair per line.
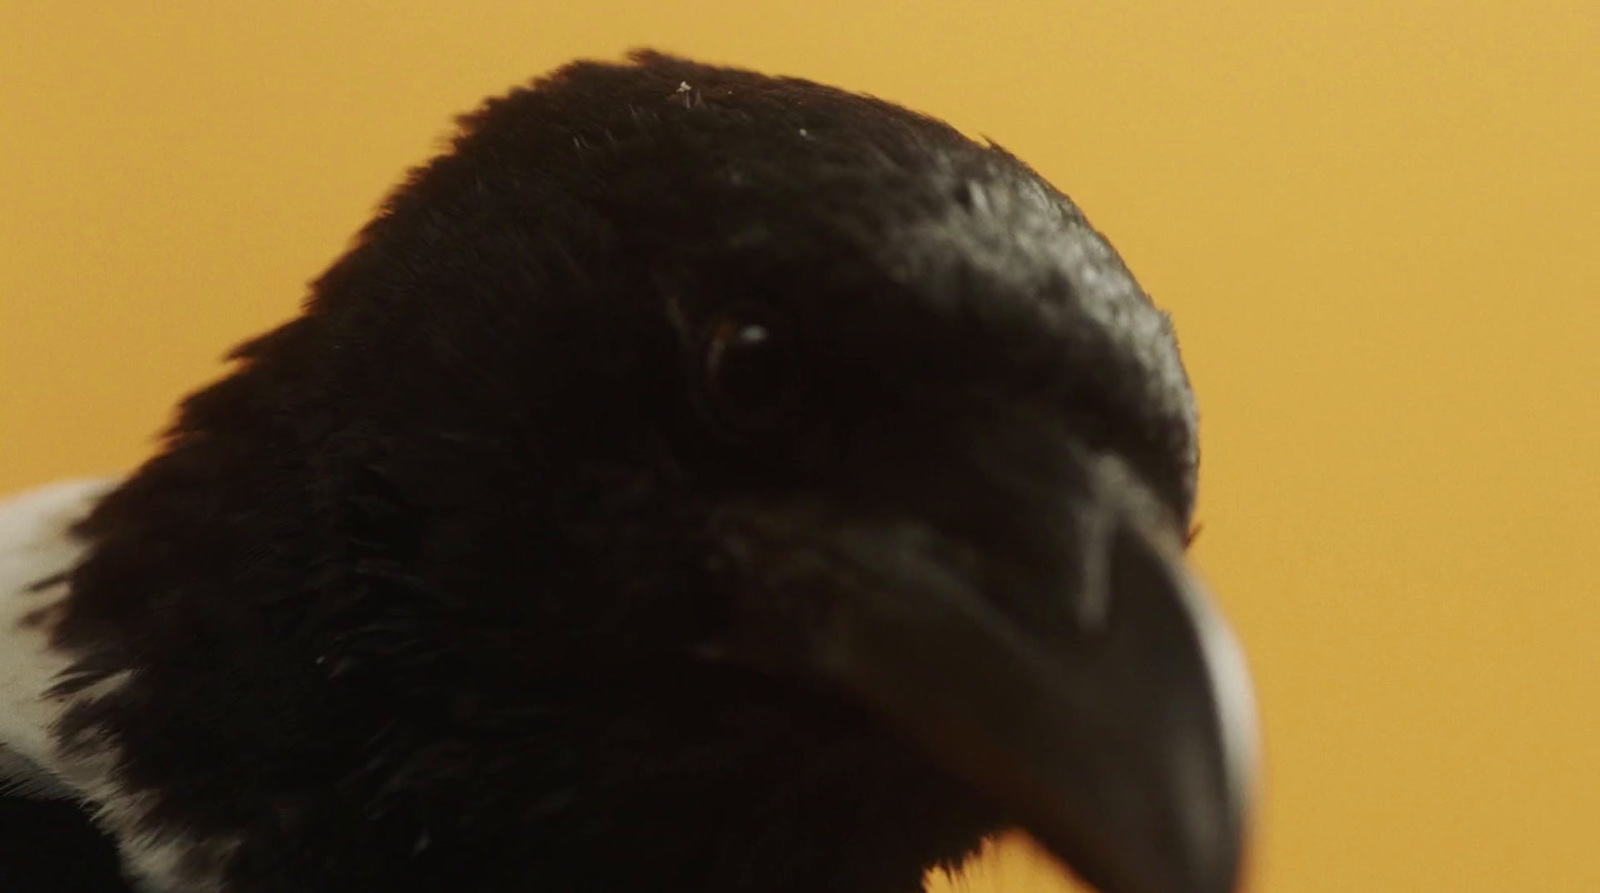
690, 481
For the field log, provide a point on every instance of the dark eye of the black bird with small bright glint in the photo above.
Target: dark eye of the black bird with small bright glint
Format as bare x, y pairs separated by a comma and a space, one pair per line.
748, 372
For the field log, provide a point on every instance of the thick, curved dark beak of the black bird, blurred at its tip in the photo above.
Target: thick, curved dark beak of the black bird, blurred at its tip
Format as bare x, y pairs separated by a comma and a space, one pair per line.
1121, 732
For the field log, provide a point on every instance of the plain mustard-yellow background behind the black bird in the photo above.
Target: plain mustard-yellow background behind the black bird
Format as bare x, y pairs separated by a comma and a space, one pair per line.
1377, 223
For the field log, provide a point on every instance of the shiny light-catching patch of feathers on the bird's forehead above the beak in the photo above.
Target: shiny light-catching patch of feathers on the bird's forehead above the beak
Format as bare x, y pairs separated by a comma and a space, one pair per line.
1017, 255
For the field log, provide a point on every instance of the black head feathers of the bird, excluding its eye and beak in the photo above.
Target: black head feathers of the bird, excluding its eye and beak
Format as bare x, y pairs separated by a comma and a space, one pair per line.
420, 598
